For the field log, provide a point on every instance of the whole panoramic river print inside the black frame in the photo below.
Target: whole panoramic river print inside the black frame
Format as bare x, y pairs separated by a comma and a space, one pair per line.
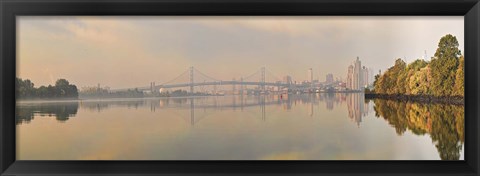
240, 88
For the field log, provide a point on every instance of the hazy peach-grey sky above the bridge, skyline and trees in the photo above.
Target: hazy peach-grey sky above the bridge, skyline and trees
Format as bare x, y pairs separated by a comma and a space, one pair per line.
125, 52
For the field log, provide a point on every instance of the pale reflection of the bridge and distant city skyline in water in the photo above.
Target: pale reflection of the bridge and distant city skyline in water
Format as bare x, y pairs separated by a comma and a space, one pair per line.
357, 107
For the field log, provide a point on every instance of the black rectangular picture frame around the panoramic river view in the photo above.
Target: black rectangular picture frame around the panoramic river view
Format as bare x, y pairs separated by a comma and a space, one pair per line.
9, 9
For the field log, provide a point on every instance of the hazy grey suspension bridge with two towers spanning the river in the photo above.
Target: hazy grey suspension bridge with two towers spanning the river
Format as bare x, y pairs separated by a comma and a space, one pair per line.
204, 80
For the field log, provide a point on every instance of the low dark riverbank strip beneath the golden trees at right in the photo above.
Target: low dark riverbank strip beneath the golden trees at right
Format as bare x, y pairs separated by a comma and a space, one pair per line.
417, 98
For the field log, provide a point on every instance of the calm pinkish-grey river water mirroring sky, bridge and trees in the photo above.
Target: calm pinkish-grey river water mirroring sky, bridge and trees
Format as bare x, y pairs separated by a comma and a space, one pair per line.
300, 127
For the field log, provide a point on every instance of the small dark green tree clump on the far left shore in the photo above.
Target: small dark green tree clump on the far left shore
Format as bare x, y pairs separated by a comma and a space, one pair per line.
25, 89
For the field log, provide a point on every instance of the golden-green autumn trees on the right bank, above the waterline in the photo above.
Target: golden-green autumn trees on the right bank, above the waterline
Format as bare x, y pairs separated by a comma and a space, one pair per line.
443, 76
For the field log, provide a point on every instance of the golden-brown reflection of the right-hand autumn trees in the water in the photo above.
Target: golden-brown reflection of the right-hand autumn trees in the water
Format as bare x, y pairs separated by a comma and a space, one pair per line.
444, 123
